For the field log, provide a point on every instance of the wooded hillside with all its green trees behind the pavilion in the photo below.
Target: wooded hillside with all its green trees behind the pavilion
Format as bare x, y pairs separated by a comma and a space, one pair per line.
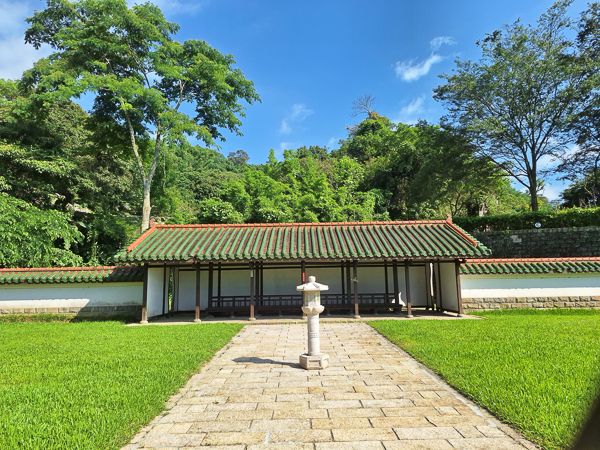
77, 186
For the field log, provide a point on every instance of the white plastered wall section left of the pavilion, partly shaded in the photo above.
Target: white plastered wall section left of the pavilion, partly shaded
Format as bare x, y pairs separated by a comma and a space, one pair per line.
72, 295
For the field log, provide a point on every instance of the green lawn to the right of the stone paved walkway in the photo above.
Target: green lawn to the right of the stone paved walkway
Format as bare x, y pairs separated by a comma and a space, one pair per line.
537, 370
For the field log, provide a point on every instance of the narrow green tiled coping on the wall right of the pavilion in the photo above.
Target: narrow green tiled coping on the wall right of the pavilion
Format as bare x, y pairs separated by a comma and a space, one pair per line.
530, 266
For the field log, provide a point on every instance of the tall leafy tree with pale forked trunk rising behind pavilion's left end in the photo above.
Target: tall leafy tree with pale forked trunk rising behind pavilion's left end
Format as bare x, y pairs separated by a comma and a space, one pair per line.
140, 76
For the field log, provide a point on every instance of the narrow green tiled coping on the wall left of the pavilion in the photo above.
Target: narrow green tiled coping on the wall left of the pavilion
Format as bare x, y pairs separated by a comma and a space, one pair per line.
71, 275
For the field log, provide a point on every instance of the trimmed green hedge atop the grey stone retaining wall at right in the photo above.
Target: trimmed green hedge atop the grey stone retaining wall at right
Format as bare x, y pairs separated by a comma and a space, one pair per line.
573, 217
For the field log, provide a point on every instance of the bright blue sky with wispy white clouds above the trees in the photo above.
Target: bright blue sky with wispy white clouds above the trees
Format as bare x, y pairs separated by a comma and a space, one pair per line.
310, 60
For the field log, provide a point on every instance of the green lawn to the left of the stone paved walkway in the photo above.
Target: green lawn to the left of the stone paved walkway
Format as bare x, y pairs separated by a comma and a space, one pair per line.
91, 385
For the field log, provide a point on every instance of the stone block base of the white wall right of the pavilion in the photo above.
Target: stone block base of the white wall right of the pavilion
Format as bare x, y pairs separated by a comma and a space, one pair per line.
482, 304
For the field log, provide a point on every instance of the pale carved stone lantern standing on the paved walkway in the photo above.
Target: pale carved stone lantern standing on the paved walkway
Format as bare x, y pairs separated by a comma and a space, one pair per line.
311, 306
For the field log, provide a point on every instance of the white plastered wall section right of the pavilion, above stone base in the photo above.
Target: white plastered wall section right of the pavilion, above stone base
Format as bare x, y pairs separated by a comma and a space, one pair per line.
550, 285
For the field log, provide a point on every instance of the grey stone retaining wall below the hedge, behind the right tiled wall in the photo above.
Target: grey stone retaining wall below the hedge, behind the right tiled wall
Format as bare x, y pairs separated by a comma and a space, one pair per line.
542, 243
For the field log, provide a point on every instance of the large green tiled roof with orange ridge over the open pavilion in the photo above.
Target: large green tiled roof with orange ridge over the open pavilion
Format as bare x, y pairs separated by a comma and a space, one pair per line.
303, 241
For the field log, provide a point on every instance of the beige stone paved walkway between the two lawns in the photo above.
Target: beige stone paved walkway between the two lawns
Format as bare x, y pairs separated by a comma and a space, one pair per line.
253, 395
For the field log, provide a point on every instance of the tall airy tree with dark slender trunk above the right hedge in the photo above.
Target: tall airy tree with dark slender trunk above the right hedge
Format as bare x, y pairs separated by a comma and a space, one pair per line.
516, 101
